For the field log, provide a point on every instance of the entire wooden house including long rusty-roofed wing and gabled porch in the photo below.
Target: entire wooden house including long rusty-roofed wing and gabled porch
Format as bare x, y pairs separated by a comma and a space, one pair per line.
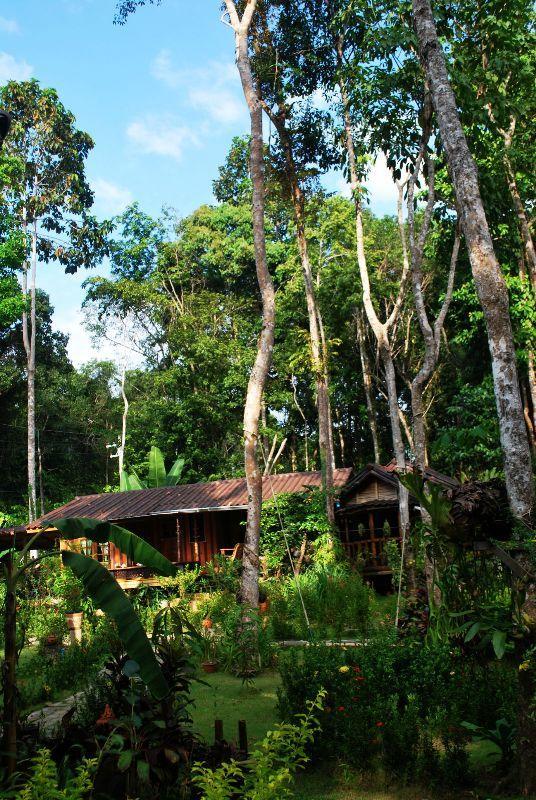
192, 523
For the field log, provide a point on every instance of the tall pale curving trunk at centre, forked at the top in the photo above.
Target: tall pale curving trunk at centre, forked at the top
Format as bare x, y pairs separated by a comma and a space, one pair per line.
259, 373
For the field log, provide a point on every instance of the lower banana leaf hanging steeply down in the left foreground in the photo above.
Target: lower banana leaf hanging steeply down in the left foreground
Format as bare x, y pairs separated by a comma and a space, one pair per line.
107, 595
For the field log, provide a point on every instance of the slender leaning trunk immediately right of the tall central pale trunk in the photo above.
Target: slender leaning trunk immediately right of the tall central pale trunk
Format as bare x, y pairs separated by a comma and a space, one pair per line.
318, 350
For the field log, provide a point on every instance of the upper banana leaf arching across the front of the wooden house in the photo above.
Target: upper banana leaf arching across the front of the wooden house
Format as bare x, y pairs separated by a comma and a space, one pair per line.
132, 546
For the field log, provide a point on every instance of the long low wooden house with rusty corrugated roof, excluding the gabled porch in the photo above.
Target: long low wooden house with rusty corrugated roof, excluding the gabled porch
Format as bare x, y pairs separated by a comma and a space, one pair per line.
189, 523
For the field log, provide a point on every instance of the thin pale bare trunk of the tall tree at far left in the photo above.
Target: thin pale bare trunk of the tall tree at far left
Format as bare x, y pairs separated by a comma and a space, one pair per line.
28, 336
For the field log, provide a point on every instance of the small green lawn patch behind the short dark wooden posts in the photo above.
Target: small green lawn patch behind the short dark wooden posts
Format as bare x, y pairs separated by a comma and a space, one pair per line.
229, 699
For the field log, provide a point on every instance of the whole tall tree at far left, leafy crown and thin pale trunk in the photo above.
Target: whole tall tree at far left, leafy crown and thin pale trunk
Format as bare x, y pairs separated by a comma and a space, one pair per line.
50, 206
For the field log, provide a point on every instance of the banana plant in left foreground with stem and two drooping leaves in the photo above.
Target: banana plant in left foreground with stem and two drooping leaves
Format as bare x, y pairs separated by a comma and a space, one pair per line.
100, 586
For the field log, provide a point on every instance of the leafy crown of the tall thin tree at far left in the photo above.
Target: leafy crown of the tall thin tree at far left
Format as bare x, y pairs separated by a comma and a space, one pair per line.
53, 188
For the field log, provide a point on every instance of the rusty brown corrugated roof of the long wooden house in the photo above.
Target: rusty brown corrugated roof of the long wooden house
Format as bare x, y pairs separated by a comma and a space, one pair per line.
224, 494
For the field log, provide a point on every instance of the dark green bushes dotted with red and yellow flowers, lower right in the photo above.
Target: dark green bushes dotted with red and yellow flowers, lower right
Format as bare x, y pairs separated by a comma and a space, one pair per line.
394, 701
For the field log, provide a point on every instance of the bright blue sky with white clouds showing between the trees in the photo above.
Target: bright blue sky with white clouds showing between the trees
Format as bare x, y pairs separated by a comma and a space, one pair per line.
161, 98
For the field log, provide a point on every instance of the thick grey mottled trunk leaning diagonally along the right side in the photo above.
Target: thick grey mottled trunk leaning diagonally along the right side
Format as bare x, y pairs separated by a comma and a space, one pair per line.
489, 281
